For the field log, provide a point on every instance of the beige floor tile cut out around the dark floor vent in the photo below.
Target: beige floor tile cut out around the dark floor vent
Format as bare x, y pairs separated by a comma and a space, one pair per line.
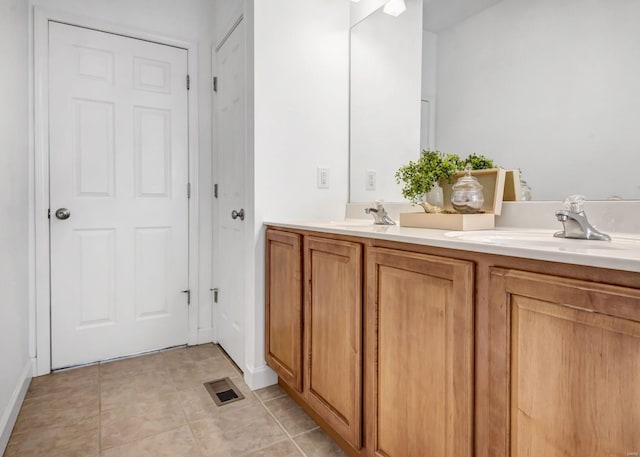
198, 404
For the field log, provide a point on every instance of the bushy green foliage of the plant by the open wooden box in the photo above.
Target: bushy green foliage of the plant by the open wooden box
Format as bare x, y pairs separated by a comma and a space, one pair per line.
419, 177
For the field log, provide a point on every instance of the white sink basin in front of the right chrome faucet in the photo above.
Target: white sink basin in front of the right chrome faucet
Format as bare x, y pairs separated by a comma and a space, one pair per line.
543, 239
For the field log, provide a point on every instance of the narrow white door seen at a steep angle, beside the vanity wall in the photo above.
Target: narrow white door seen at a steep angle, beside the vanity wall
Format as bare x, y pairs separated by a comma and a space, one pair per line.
231, 226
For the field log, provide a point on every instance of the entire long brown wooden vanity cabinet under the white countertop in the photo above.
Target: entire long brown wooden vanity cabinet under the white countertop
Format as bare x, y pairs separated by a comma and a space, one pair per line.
403, 350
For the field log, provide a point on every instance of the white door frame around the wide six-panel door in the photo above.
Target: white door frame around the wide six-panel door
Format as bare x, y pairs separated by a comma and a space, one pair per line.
39, 259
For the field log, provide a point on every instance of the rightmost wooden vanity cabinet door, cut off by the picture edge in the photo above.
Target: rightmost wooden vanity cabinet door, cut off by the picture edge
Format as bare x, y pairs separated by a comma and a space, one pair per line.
565, 367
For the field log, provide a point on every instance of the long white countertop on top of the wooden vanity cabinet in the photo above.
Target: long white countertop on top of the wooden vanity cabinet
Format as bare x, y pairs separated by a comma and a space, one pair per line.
622, 253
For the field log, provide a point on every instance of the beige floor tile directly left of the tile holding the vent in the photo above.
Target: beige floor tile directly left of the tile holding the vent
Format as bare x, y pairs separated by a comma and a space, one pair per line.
128, 423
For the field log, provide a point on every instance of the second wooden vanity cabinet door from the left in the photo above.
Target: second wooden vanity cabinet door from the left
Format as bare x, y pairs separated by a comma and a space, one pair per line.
333, 334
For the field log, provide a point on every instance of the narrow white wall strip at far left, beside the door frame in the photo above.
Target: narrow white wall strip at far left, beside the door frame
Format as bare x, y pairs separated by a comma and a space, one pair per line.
14, 204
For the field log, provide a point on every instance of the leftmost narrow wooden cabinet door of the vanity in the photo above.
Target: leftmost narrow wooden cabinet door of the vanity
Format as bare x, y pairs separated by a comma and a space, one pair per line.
284, 306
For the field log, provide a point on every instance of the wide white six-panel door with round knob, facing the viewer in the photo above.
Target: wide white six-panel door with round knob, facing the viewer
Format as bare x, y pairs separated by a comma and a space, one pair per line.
118, 146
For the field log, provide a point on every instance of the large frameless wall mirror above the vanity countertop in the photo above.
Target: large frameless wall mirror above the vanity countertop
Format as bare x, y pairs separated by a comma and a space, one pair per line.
550, 87
